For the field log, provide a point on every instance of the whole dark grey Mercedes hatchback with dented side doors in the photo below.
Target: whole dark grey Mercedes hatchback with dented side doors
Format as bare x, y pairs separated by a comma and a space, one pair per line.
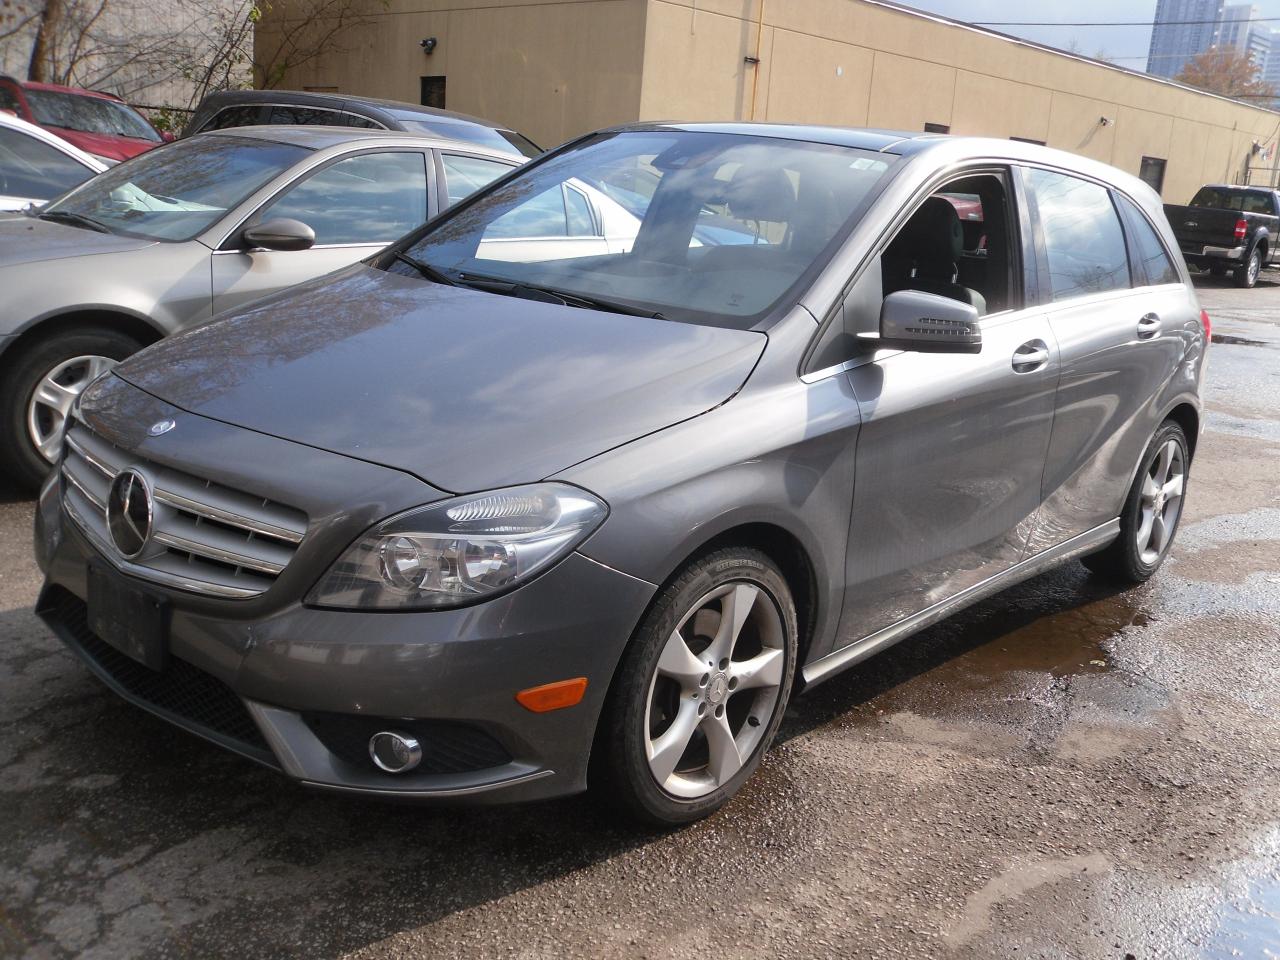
452, 524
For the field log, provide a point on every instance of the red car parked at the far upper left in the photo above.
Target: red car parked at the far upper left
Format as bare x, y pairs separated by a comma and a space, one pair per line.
98, 124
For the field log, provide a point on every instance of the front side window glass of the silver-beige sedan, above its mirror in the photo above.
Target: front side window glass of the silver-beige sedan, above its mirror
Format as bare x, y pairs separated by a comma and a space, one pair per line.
367, 199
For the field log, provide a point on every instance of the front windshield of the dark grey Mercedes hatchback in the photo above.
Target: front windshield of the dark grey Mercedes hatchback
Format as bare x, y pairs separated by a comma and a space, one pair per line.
708, 228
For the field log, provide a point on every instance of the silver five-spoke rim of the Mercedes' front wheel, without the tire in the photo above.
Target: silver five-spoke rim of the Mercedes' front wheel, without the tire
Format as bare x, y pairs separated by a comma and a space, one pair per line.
715, 689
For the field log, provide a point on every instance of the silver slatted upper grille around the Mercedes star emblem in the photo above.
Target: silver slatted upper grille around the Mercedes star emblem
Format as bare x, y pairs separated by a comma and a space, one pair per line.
207, 538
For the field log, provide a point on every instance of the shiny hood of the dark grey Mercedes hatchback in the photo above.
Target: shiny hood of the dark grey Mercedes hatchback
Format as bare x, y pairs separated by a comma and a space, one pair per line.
464, 390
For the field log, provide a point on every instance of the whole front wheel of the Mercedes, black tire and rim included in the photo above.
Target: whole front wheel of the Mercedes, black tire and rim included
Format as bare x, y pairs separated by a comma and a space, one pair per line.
661, 691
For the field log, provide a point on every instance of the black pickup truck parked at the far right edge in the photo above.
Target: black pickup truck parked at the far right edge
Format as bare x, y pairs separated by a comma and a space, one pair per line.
1229, 228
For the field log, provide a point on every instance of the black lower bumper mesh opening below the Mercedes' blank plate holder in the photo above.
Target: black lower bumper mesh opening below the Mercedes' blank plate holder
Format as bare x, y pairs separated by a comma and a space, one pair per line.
184, 693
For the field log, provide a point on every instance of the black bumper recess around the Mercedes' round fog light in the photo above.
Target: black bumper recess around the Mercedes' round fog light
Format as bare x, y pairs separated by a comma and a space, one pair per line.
447, 747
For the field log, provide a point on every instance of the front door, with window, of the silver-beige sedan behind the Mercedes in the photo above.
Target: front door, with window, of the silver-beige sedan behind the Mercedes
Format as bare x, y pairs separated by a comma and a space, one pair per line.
356, 205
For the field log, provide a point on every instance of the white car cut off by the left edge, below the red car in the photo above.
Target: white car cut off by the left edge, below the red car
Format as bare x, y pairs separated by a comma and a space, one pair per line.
36, 166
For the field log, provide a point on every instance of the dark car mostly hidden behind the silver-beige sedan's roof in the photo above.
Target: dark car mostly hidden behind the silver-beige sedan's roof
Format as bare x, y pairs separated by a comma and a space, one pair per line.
245, 108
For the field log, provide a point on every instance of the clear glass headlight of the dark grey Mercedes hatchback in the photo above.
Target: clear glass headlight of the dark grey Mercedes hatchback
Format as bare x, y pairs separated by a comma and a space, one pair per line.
460, 551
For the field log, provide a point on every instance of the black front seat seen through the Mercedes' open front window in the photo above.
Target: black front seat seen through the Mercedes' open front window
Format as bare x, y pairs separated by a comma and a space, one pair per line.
926, 253
